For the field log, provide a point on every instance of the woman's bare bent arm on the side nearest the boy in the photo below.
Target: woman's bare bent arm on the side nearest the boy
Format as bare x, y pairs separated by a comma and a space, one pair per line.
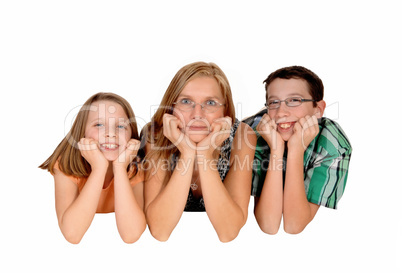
227, 203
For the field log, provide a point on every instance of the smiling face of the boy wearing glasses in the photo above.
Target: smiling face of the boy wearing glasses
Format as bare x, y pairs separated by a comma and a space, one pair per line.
285, 116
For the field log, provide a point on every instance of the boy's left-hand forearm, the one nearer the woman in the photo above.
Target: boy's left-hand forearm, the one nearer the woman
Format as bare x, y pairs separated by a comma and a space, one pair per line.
268, 210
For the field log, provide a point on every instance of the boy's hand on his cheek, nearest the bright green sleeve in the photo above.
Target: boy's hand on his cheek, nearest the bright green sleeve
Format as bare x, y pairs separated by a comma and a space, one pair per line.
305, 130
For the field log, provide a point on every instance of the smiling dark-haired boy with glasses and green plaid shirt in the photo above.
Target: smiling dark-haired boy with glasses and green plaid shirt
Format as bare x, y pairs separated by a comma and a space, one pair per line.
301, 159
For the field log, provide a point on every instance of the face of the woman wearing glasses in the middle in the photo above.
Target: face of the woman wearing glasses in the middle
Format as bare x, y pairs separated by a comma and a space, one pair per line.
196, 122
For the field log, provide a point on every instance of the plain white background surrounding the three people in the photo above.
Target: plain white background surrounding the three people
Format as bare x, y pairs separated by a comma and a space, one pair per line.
56, 54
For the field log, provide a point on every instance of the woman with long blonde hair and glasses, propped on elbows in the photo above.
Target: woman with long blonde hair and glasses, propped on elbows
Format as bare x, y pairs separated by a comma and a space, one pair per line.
198, 155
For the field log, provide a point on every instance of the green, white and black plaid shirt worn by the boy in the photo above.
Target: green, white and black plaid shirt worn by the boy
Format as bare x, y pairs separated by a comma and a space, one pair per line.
326, 163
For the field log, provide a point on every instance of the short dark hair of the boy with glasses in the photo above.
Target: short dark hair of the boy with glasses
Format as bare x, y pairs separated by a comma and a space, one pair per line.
316, 87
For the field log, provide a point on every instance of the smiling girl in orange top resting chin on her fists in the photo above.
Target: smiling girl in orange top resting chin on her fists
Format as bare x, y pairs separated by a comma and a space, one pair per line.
94, 171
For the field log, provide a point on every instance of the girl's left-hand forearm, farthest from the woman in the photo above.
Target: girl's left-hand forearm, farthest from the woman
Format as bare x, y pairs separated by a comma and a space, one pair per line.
77, 218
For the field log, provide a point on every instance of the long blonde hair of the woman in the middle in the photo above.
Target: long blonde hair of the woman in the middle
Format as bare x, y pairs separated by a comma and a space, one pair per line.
161, 147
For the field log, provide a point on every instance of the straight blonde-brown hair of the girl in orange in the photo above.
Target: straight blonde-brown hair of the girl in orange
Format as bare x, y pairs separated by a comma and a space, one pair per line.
67, 155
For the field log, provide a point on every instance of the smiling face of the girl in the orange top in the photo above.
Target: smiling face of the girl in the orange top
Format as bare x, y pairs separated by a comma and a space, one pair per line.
108, 124
